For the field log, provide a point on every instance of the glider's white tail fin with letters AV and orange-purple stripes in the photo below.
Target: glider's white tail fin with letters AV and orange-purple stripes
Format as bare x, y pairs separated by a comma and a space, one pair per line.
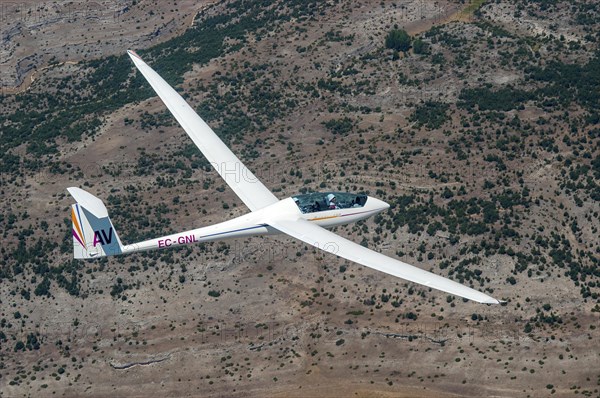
93, 232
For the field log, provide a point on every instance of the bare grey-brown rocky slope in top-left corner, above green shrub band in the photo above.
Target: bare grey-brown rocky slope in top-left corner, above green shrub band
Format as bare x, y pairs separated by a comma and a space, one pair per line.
38, 35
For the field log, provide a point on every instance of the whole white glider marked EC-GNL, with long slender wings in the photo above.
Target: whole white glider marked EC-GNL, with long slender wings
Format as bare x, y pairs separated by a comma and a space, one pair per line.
304, 217
